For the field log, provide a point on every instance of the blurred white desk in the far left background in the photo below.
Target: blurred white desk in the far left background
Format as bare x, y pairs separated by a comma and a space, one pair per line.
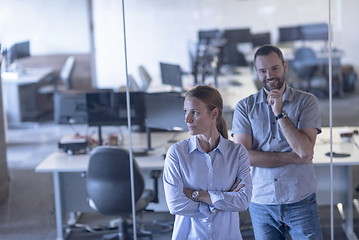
20, 91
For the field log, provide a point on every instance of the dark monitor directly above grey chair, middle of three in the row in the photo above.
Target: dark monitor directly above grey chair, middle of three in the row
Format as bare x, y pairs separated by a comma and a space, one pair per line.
110, 109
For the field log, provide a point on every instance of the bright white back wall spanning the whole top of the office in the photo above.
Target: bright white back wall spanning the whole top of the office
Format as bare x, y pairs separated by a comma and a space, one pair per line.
160, 30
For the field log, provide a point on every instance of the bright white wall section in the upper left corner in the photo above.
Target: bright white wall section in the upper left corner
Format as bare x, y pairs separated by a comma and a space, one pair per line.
52, 26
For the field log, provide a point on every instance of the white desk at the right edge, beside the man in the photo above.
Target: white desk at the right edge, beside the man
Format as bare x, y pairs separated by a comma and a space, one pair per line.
342, 175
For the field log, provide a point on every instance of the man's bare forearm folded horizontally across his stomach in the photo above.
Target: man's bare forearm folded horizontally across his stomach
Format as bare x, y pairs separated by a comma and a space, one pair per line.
268, 159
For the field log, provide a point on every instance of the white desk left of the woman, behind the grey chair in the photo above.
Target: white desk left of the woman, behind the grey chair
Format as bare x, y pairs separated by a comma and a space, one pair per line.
70, 184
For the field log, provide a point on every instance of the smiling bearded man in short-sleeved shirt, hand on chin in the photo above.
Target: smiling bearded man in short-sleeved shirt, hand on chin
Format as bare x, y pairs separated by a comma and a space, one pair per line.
278, 125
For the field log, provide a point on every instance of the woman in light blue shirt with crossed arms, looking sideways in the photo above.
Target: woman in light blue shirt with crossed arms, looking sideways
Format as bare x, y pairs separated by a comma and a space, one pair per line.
206, 177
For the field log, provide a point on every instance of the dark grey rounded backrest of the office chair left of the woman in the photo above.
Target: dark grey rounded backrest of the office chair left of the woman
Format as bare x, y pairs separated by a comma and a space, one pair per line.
108, 180
